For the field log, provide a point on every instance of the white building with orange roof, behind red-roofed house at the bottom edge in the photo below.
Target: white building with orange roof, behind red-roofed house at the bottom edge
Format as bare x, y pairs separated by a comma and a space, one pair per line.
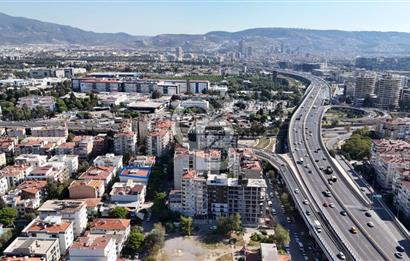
118, 228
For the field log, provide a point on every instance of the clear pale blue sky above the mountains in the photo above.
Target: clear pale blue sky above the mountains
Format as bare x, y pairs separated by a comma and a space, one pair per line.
152, 17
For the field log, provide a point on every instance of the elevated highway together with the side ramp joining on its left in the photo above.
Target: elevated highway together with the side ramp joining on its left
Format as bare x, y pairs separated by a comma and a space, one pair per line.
351, 228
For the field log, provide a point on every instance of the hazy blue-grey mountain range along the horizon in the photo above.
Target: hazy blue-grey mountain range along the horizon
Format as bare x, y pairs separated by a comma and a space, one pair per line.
19, 30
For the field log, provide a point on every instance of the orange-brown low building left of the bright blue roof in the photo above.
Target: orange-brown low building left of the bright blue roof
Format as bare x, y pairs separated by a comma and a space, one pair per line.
82, 189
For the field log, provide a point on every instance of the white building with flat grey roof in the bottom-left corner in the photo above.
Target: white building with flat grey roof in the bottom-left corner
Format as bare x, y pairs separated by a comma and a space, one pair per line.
46, 248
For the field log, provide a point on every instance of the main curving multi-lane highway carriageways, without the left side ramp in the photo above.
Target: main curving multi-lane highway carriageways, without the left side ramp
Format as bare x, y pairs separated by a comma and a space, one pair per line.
364, 232
